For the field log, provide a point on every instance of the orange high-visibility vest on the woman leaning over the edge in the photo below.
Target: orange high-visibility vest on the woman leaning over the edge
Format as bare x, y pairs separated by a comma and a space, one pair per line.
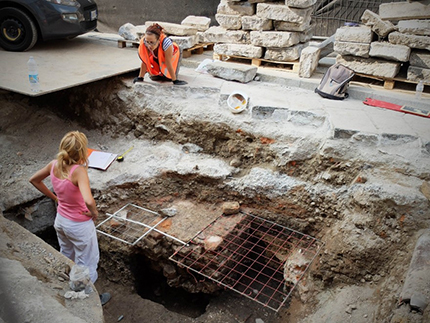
151, 65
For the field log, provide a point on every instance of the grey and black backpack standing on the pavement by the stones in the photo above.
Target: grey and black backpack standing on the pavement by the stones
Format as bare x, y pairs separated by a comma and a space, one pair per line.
335, 82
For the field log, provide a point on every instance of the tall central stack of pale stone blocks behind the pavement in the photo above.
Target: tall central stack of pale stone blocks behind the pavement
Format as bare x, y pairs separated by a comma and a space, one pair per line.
272, 30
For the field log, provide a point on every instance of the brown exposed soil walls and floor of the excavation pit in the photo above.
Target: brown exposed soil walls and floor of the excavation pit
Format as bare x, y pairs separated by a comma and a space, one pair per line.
369, 234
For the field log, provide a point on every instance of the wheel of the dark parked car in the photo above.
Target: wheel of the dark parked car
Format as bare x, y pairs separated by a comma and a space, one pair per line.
18, 32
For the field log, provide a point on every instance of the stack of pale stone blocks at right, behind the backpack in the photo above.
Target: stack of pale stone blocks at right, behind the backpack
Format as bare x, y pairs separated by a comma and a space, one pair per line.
387, 41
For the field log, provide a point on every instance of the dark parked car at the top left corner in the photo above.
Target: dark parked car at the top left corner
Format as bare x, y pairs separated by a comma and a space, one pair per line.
24, 22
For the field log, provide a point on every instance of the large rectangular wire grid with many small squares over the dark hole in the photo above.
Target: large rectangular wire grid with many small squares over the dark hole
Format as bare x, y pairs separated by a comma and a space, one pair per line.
251, 259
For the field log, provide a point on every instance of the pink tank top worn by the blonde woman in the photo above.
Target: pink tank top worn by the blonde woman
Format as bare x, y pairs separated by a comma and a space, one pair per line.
71, 204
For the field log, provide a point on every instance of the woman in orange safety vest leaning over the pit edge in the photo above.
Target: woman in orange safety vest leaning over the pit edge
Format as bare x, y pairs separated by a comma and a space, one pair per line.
160, 56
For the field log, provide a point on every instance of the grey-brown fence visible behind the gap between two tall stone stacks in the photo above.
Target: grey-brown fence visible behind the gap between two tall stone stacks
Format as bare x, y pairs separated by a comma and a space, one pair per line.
329, 15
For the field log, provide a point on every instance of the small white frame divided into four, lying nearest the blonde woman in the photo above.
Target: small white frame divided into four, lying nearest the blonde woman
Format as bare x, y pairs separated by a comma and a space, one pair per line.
129, 224
